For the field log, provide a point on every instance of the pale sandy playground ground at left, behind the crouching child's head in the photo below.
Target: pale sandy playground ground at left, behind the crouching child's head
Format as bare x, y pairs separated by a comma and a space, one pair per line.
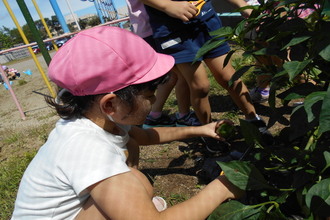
30, 92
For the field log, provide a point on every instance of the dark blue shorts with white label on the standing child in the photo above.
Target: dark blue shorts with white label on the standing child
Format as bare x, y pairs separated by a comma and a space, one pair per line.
181, 39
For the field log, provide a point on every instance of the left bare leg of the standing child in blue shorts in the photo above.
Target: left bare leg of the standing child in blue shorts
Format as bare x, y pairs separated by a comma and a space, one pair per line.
196, 78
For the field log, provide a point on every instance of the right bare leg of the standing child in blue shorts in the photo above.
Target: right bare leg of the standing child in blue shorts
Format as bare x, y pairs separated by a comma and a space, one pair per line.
238, 91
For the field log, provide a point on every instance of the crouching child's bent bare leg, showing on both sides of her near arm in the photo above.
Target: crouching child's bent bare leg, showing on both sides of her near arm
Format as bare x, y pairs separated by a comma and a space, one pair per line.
91, 211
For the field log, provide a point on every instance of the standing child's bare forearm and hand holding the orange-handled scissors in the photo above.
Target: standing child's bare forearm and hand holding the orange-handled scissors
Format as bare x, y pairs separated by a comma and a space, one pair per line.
182, 10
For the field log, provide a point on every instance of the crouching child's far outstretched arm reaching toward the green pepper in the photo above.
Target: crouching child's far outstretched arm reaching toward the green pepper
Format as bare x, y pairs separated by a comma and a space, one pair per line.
159, 135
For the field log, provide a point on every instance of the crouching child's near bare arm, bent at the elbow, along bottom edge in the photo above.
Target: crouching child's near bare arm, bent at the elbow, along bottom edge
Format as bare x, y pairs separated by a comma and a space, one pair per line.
124, 197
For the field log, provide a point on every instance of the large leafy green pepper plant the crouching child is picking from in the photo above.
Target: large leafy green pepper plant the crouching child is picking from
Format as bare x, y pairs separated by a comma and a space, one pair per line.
289, 179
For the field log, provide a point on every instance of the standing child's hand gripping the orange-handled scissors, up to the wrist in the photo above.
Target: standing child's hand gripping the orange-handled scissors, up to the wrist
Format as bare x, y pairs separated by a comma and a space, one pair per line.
182, 10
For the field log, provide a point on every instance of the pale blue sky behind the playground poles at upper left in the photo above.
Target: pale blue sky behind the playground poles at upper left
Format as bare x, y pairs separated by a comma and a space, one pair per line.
79, 7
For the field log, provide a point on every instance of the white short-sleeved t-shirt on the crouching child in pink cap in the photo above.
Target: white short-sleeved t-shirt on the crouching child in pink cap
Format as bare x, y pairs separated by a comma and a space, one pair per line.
77, 154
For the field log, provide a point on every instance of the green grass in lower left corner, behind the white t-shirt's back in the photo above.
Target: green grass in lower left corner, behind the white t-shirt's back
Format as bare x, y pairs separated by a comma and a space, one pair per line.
11, 172
